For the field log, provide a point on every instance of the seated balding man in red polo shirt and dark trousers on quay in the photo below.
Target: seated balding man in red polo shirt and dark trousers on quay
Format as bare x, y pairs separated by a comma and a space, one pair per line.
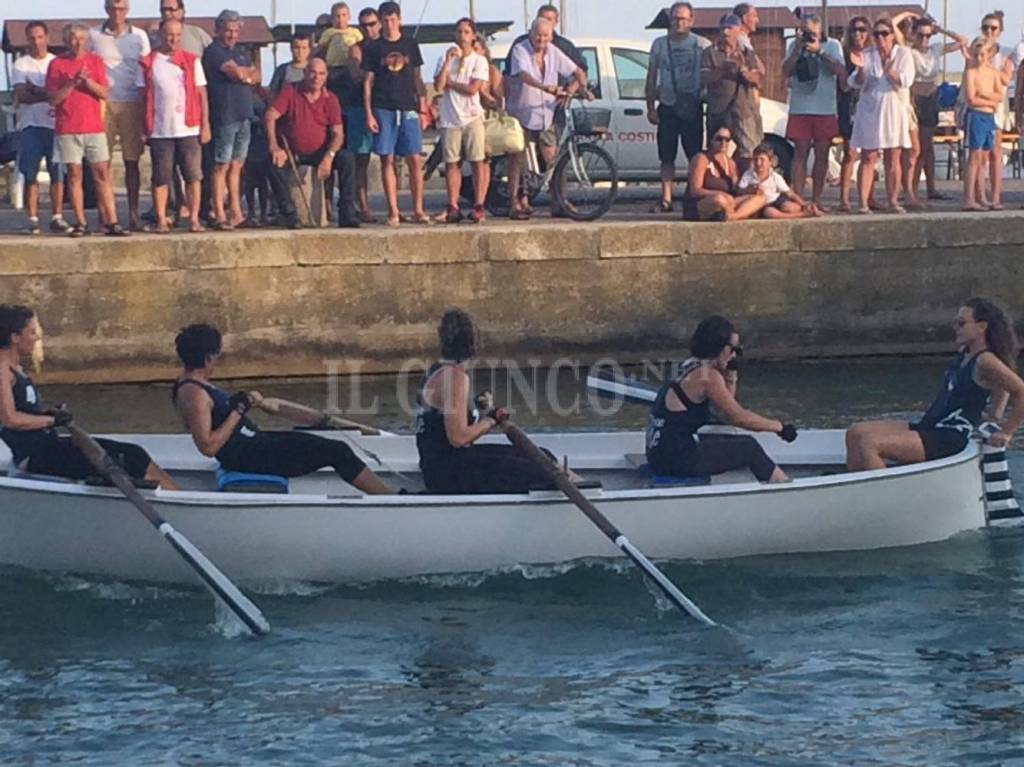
313, 132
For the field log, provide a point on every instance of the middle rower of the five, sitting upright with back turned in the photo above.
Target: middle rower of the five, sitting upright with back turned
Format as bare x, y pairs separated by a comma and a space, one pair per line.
447, 427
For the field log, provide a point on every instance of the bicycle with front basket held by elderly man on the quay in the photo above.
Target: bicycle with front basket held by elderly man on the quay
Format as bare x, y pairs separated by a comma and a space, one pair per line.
583, 179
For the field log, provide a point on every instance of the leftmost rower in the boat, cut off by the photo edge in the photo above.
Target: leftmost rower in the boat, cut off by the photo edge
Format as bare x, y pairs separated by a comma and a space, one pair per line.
30, 432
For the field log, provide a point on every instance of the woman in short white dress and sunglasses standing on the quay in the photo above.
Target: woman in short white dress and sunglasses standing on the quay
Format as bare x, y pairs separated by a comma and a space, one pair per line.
884, 75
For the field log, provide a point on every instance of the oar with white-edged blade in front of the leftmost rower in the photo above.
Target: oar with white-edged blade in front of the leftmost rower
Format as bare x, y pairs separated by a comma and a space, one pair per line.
215, 580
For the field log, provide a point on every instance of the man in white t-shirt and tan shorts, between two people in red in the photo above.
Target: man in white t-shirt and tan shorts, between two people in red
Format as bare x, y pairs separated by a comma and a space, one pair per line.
122, 46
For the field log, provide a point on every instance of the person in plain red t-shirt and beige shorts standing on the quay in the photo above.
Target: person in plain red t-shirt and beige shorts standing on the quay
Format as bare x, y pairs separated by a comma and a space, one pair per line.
76, 83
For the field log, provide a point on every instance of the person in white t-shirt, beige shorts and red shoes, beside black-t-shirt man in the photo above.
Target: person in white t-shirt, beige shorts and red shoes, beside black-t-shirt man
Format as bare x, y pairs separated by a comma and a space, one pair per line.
461, 75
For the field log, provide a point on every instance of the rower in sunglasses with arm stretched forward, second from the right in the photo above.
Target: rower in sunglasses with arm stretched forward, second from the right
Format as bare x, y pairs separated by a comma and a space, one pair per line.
684, 406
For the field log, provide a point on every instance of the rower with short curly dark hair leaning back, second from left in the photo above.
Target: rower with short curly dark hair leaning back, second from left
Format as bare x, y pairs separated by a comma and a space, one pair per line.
222, 429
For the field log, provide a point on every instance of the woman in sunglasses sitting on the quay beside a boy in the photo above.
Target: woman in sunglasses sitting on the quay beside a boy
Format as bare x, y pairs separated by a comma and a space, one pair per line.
714, 181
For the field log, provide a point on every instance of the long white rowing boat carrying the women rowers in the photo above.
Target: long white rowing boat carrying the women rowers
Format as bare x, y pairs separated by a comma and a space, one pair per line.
324, 531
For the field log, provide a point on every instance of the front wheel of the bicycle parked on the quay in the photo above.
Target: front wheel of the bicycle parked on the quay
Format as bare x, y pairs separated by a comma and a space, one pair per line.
585, 183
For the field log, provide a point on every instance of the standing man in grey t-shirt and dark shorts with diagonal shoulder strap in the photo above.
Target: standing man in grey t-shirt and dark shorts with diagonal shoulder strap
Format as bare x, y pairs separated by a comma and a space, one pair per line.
674, 83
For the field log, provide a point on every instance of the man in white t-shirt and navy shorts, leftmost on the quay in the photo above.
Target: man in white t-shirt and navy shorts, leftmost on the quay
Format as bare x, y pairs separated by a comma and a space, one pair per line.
35, 122
